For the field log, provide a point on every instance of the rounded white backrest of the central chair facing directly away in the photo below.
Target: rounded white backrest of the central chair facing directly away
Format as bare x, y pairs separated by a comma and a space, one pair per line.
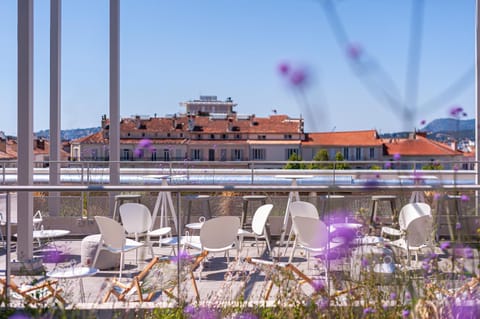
219, 232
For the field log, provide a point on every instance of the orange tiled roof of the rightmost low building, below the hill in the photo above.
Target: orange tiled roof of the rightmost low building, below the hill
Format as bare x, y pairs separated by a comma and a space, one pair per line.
418, 146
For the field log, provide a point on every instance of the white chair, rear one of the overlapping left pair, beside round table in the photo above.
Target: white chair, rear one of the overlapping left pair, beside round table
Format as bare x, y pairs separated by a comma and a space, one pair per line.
137, 220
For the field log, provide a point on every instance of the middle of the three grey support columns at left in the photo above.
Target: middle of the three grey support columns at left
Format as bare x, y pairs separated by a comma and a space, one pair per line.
55, 103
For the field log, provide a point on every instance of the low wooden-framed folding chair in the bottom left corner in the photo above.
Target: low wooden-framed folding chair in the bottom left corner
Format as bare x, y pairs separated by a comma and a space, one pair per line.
36, 295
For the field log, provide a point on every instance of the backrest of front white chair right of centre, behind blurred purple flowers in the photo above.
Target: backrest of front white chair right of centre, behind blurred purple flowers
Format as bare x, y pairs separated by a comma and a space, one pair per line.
311, 232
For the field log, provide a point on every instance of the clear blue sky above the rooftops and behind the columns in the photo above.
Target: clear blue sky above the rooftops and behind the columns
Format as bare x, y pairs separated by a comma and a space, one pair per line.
173, 51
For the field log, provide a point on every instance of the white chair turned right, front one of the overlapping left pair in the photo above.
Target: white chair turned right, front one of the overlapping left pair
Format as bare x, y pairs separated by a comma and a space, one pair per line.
113, 238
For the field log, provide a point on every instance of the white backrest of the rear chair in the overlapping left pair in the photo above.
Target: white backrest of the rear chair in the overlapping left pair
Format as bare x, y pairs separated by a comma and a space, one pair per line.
136, 218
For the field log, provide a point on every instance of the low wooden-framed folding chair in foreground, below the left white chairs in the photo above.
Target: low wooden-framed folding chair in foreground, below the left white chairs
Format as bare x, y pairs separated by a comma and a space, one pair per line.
138, 286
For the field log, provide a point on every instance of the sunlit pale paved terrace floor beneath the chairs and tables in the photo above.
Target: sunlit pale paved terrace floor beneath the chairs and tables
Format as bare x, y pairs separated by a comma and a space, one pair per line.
218, 281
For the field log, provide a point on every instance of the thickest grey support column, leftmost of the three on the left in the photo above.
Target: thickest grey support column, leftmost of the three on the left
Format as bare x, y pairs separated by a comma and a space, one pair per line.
25, 128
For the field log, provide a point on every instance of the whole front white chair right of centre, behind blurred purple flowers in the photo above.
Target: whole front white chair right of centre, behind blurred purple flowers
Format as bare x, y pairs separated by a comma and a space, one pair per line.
312, 235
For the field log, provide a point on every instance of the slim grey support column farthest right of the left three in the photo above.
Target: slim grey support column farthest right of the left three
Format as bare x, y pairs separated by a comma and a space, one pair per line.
114, 131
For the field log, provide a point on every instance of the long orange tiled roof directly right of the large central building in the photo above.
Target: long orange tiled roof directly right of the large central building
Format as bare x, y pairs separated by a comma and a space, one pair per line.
351, 138
